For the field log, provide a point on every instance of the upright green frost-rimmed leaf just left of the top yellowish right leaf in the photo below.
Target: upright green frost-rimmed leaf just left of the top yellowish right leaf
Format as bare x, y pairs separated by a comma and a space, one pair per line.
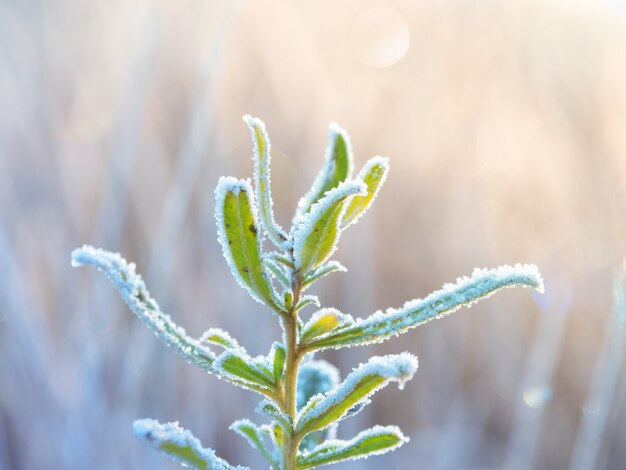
337, 168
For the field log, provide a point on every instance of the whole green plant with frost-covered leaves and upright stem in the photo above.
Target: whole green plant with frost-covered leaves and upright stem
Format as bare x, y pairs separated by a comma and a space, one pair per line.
303, 399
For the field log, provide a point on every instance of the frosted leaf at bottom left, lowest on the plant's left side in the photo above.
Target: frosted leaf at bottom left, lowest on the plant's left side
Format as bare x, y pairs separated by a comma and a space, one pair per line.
180, 445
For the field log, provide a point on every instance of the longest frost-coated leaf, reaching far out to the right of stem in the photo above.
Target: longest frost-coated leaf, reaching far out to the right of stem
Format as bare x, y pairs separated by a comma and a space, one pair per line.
468, 290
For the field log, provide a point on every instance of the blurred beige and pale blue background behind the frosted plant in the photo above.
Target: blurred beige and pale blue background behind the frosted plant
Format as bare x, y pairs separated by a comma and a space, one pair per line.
504, 122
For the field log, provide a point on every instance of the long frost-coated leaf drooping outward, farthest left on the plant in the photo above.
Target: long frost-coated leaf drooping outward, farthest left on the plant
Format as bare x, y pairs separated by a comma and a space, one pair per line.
133, 290
